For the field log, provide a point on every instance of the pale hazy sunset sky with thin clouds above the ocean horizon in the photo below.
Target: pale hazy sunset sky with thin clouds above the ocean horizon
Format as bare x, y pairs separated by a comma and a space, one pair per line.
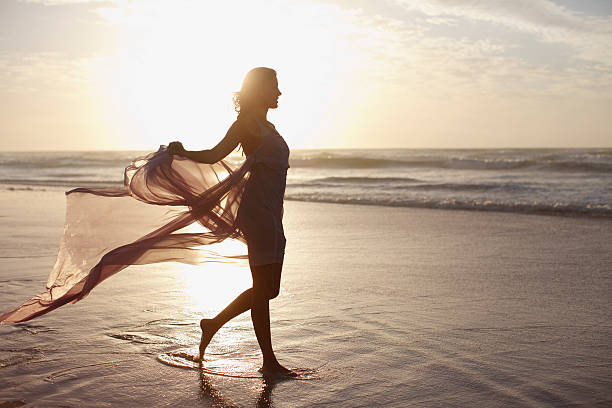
124, 75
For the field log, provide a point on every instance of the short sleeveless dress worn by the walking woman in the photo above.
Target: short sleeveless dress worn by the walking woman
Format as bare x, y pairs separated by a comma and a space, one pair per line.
260, 216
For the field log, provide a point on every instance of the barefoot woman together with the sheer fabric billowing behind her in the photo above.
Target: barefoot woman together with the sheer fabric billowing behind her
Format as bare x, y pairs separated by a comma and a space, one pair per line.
108, 230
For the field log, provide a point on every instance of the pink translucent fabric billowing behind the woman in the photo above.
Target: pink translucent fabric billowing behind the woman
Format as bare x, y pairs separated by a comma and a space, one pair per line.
107, 230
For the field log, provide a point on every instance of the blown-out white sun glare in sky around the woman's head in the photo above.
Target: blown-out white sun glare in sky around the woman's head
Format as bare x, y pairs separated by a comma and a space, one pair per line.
177, 66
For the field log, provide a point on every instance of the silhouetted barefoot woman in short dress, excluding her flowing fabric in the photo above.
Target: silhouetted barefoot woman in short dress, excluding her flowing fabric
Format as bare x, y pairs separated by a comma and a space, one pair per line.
260, 213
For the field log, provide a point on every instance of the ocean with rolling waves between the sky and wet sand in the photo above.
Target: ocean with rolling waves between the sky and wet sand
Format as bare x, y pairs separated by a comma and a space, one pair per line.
542, 181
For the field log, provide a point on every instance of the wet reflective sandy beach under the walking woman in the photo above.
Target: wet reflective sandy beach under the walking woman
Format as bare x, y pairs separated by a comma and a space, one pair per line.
389, 306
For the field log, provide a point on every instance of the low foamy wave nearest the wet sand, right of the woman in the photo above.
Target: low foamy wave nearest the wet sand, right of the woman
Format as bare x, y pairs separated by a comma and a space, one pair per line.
542, 208
